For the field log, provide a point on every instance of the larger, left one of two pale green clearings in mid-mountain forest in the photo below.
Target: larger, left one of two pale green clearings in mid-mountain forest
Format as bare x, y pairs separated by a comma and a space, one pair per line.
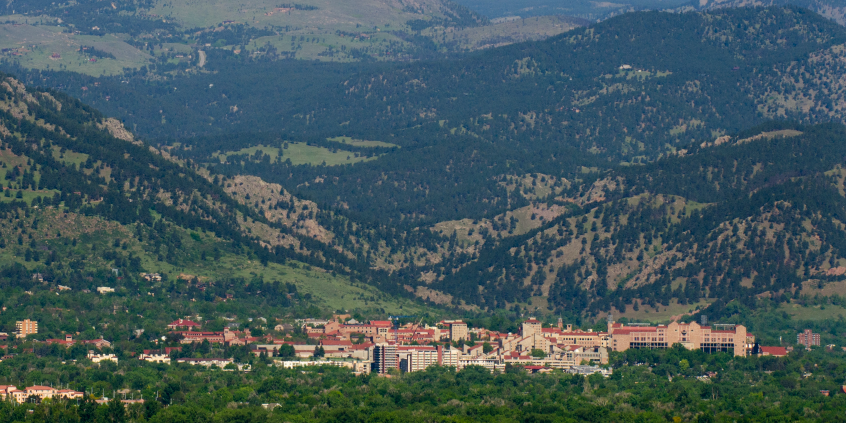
301, 154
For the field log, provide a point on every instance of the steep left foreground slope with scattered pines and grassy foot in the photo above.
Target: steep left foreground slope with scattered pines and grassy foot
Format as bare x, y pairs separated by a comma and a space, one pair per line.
82, 196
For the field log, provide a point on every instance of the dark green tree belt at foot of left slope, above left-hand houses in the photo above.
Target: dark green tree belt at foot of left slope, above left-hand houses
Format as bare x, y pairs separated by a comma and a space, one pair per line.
138, 304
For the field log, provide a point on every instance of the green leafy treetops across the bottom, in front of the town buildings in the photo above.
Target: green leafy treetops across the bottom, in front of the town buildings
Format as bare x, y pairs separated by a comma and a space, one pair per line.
645, 386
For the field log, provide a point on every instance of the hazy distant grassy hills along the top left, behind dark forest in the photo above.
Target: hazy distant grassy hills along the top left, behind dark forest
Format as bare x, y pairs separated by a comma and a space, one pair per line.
123, 36
